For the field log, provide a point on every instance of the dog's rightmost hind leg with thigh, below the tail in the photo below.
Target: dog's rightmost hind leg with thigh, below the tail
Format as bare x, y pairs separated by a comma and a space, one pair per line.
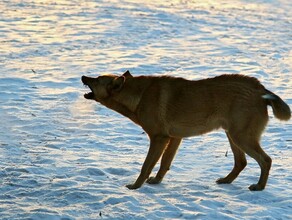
250, 145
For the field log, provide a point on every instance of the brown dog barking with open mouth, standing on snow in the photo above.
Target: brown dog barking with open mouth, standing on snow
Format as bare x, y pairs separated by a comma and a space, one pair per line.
170, 109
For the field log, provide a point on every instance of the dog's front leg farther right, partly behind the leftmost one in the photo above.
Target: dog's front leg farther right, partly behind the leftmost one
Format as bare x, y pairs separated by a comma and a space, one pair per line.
166, 160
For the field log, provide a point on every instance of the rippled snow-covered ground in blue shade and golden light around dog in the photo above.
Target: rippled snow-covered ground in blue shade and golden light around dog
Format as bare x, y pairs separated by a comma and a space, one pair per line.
63, 157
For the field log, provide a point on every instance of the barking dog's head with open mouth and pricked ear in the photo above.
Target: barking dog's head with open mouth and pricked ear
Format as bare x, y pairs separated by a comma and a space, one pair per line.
104, 86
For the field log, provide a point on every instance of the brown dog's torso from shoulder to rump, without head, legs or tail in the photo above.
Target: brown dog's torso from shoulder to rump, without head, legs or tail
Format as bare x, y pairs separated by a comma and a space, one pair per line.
186, 108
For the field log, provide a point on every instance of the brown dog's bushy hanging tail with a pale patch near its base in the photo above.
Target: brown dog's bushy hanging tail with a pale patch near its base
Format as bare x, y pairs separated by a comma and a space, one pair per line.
280, 109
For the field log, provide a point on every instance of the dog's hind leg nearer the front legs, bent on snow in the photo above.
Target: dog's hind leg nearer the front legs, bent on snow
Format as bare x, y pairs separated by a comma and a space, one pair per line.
239, 163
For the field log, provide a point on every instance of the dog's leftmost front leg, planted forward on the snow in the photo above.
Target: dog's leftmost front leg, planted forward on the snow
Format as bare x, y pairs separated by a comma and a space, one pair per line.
157, 146
